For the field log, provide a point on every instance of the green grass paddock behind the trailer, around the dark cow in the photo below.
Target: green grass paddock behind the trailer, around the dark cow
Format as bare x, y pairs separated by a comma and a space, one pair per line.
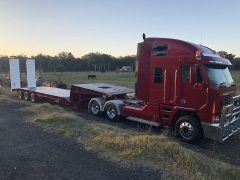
126, 79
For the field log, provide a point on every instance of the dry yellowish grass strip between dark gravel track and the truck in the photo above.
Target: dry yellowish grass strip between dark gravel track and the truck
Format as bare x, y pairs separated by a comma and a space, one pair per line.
131, 147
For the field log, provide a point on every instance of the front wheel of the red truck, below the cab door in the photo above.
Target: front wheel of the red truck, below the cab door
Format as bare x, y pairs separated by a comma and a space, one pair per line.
188, 128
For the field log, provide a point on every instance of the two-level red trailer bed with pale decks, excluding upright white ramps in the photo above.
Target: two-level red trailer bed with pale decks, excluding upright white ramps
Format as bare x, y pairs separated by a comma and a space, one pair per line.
77, 97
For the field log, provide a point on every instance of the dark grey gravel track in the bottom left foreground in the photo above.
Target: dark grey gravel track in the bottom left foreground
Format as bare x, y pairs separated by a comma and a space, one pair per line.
28, 152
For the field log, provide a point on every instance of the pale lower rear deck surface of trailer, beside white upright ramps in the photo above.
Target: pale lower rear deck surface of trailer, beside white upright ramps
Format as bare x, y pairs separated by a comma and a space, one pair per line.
63, 93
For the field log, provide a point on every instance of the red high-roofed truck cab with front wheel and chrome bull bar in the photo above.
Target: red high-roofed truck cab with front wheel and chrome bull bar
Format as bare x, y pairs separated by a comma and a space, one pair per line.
187, 87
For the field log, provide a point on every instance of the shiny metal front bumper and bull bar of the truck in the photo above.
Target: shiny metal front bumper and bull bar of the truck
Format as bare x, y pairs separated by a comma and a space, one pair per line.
229, 123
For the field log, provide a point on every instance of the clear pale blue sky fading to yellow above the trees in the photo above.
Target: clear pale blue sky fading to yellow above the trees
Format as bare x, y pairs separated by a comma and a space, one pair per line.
30, 27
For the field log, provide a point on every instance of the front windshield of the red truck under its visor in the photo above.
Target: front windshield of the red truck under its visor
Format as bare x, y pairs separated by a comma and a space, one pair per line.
219, 75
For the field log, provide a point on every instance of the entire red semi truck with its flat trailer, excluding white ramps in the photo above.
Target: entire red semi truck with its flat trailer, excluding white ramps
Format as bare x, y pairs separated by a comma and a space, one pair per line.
184, 86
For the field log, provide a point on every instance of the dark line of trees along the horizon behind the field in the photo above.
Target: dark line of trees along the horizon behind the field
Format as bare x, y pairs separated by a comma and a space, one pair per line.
65, 61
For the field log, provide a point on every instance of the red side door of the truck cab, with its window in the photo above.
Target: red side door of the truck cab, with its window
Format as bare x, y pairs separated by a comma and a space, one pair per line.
193, 89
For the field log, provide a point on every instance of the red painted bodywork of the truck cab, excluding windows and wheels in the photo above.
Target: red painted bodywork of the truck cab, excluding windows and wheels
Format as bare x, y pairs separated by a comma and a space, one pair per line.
163, 101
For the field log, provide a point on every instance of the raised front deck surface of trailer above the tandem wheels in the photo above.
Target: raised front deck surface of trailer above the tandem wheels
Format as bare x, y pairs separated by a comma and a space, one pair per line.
106, 88
